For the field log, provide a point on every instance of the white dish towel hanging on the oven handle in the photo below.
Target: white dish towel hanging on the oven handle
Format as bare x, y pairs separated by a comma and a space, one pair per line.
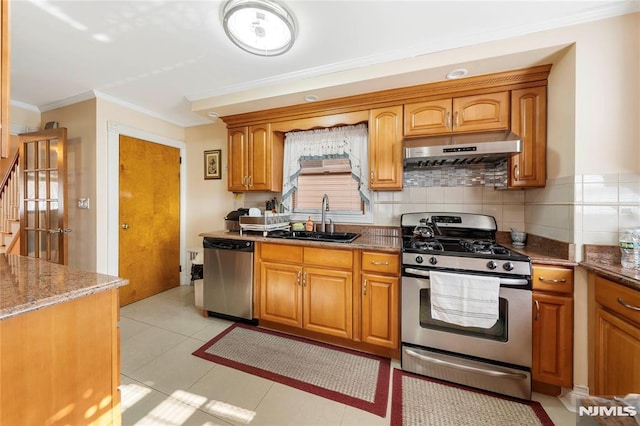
466, 300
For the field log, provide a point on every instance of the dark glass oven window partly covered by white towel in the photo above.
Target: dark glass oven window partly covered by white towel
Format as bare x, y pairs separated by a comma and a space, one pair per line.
498, 332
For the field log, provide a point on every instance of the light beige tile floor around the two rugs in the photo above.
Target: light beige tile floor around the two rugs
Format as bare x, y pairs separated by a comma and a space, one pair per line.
163, 384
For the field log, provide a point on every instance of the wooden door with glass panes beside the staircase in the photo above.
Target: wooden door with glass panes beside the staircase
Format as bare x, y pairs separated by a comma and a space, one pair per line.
43, 219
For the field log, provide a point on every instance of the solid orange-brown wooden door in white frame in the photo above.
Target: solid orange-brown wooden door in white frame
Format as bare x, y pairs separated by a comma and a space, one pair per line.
149, 235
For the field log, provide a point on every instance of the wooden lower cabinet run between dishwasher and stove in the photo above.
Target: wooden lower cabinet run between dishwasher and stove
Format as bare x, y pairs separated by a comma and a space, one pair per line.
311, 289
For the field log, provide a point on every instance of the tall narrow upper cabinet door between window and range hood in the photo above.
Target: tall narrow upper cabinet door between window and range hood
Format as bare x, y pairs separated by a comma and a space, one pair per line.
385, 148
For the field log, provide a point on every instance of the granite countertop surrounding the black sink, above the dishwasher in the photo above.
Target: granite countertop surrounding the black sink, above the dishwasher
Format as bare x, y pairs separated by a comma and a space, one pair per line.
376, 238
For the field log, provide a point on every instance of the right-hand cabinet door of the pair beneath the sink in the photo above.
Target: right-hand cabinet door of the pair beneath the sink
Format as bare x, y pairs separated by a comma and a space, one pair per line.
328, 301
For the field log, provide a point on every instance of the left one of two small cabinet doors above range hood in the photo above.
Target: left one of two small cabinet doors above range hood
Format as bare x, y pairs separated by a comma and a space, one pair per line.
427, 118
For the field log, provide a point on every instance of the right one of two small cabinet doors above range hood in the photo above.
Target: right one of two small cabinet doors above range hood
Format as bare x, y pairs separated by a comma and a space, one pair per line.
481, 112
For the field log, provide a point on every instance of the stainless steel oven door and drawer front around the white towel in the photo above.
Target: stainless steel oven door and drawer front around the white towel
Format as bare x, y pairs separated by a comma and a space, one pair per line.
497, 359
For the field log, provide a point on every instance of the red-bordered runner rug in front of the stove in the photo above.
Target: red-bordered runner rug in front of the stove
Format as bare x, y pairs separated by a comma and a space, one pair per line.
420, 401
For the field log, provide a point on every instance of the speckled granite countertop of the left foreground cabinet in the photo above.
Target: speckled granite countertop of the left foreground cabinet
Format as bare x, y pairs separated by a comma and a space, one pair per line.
28, 284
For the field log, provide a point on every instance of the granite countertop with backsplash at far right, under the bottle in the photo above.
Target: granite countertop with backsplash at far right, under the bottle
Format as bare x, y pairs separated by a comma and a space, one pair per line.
605, 260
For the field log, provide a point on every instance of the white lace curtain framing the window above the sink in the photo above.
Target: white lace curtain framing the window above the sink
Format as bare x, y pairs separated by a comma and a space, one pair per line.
340, 142
